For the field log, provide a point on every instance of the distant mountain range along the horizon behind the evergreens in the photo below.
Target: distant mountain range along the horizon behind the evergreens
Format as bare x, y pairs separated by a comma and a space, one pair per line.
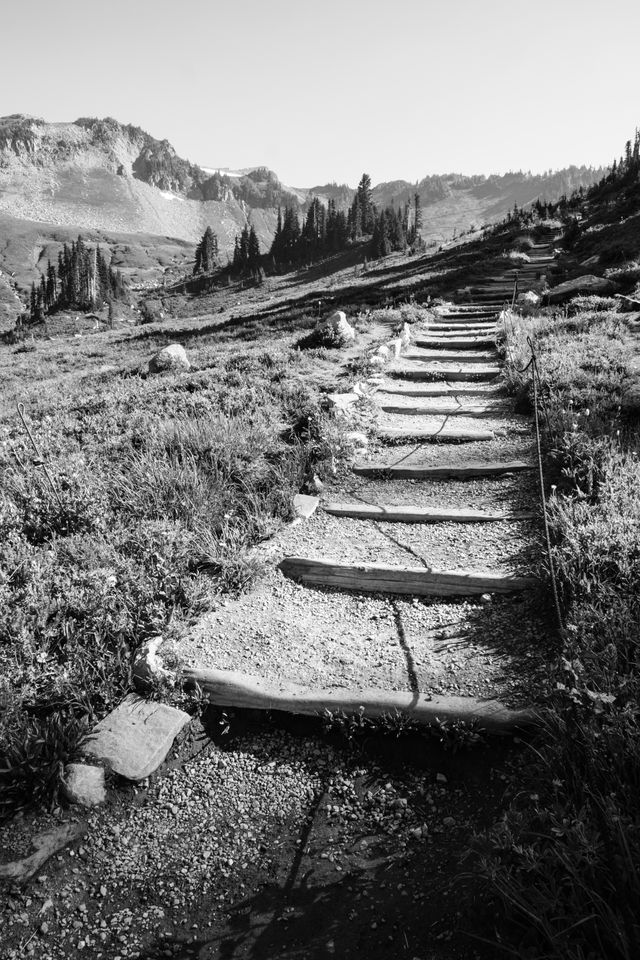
115, 183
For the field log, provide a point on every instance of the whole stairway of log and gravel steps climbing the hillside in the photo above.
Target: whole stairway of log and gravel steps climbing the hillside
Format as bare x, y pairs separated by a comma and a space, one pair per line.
434, 529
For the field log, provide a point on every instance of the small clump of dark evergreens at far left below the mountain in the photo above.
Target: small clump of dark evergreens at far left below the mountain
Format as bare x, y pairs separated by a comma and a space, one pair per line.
82, 280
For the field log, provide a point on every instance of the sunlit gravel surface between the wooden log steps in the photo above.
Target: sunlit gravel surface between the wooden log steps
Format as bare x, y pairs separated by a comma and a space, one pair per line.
321, 637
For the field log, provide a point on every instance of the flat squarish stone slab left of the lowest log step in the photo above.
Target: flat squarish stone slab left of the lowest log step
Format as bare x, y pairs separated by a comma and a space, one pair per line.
134, 739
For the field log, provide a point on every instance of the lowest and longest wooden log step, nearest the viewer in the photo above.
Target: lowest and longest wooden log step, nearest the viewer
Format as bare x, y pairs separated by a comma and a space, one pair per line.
229, 688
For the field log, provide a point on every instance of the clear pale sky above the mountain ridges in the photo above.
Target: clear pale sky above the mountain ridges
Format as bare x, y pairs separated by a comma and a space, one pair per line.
323, 91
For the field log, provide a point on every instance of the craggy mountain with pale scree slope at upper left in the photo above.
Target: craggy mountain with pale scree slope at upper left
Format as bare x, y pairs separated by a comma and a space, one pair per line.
99, 174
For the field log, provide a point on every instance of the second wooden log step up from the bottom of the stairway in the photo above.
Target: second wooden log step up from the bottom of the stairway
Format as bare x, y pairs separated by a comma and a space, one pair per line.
416, 581
